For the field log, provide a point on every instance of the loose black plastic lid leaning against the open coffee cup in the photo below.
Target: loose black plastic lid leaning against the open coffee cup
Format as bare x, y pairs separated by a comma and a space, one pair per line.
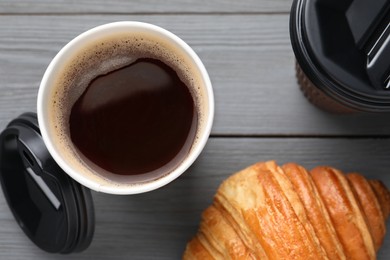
52, 209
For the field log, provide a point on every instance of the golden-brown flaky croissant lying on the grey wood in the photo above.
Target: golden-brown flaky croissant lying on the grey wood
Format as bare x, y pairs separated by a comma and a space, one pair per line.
271, 212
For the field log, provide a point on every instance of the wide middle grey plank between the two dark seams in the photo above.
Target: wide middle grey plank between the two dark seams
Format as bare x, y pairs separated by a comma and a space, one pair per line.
248, 57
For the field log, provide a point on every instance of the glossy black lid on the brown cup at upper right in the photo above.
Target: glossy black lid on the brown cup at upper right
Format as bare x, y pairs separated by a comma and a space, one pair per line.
343, 46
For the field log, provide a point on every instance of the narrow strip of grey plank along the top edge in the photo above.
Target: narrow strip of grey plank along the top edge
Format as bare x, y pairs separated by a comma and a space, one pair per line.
143, 6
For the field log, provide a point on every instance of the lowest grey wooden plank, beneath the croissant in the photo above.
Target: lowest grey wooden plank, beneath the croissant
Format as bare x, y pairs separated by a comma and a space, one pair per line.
158, 224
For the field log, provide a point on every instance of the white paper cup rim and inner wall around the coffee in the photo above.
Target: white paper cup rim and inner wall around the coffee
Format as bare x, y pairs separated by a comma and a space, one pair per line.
65, 153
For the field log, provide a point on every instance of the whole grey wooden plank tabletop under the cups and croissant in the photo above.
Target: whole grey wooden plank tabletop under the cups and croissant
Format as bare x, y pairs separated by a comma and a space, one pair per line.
260, 113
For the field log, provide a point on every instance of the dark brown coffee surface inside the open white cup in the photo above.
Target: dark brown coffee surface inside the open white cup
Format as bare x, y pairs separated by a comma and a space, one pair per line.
135, 120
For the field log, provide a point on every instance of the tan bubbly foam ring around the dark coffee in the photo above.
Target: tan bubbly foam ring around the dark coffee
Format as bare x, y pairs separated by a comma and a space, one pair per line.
103, 56
